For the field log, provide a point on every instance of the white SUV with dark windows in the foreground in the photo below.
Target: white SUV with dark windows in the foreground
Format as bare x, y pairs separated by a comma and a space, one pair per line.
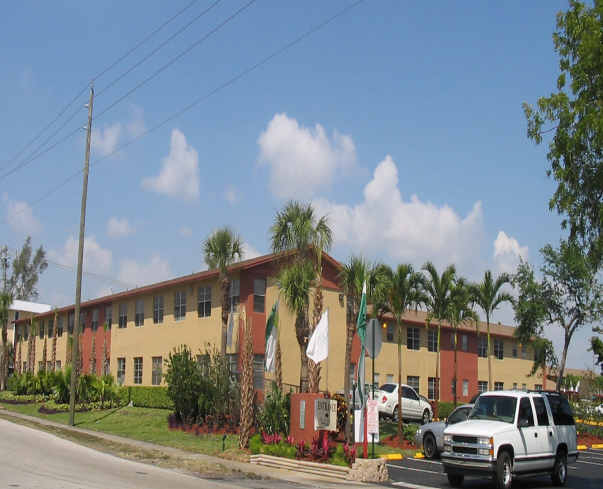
512, 433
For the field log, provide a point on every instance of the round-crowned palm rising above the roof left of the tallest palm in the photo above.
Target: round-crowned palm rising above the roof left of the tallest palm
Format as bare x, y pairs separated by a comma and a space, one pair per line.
221, 249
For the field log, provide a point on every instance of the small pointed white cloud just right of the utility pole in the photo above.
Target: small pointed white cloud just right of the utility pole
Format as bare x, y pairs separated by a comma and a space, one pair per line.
179, 175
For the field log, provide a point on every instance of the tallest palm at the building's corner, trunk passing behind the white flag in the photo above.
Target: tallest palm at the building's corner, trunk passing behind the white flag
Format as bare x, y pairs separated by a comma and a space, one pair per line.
297, 228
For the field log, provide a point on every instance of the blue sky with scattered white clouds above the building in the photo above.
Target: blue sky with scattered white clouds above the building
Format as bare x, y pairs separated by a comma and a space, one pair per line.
400, 120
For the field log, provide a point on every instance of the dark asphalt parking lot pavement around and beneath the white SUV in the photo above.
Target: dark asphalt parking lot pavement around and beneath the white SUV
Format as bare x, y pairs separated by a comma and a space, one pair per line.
586, 473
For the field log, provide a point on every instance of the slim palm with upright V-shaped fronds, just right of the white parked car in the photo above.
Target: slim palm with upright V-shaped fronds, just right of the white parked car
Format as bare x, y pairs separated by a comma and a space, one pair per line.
437, 290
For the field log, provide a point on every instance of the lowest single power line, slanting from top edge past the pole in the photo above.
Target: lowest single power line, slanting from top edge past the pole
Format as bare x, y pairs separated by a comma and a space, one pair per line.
208, 95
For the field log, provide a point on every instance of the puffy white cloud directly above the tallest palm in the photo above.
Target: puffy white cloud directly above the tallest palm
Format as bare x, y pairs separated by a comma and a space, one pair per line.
301, 159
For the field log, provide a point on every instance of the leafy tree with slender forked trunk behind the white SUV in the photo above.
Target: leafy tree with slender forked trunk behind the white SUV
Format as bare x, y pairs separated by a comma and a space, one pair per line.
568, 295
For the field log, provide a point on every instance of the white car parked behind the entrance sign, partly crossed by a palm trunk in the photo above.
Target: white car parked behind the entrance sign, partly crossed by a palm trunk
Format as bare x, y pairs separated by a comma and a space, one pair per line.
413, 407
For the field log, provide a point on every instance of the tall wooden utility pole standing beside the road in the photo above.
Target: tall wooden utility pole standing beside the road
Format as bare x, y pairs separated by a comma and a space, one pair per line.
80, 257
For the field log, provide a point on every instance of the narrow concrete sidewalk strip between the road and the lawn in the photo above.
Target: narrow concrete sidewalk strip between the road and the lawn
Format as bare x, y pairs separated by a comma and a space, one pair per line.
253, 471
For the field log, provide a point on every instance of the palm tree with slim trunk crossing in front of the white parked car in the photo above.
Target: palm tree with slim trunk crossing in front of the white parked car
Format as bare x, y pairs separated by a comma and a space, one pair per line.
403, 292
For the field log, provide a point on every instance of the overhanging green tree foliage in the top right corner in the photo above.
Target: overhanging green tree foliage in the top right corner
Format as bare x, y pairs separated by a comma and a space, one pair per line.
575, 112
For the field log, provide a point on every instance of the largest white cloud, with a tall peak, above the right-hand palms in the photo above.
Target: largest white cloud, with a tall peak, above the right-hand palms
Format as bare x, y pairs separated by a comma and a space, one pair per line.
413, 231
